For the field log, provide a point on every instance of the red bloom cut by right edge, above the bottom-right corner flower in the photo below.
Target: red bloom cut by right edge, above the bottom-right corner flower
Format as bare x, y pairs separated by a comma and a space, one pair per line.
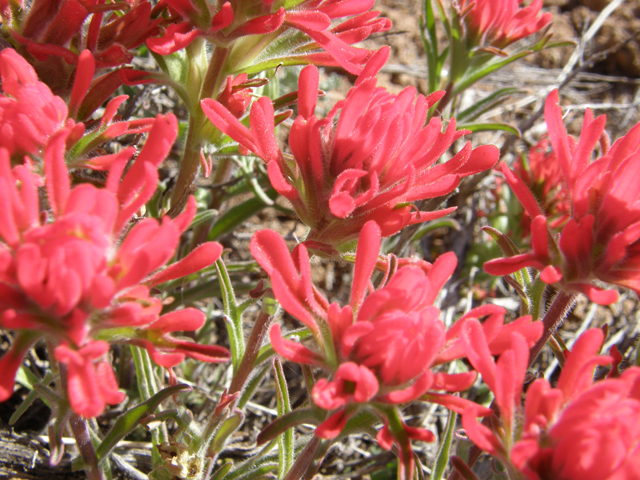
601, 240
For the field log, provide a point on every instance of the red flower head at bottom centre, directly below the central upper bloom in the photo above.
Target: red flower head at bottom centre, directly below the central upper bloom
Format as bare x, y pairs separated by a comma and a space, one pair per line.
381, 348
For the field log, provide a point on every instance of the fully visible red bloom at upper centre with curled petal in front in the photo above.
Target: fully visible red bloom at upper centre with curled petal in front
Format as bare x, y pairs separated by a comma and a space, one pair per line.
368, 160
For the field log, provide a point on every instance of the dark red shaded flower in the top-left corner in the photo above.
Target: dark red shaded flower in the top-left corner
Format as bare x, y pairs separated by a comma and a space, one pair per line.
50, 31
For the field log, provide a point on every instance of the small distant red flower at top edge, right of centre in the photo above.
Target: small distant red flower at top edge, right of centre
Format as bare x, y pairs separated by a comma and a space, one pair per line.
499, 23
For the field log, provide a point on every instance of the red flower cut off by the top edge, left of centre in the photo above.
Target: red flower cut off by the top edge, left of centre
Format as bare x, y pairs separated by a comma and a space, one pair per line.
312, 18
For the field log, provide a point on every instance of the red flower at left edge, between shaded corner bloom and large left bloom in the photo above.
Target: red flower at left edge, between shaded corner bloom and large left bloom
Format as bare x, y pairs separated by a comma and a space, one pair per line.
30, 114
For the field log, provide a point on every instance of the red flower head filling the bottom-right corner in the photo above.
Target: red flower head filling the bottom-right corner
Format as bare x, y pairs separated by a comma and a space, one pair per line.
579, 430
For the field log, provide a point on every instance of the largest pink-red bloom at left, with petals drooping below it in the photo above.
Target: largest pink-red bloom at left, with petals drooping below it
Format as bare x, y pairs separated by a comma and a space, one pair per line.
81, 273
